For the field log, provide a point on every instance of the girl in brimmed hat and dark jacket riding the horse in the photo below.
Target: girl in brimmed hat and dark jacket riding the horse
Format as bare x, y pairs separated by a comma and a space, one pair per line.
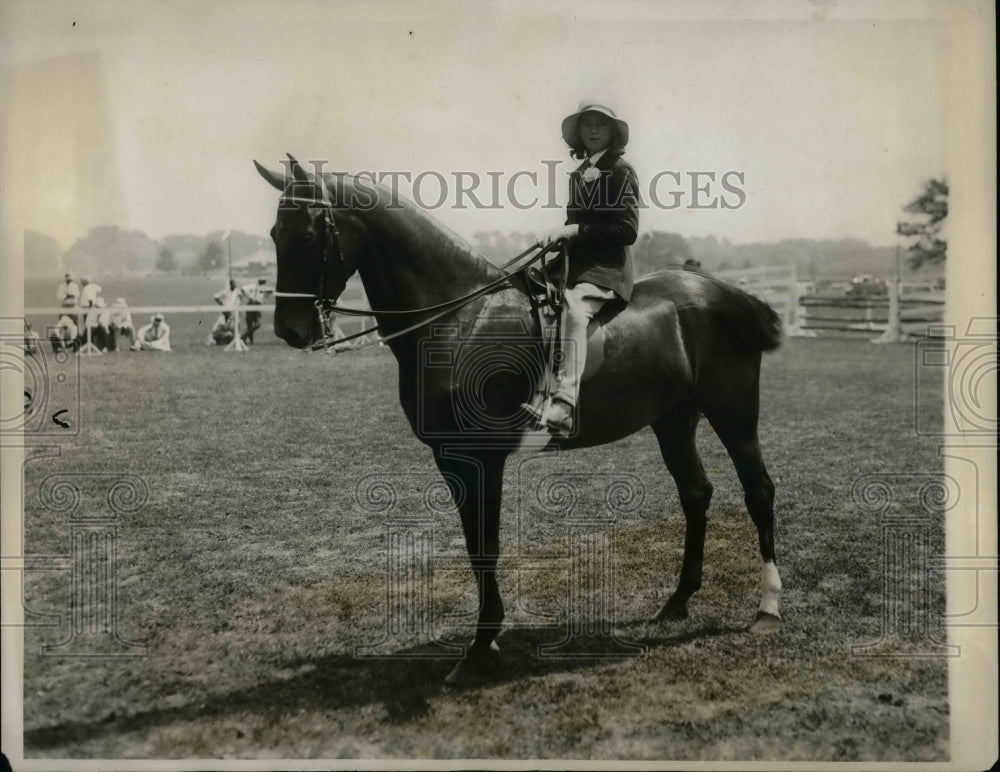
602, 221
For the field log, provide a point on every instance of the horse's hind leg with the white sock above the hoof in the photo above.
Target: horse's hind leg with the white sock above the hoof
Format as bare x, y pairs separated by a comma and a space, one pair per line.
738, 432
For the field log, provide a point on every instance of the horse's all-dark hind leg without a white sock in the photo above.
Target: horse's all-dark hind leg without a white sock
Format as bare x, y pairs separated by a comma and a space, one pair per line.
675, 433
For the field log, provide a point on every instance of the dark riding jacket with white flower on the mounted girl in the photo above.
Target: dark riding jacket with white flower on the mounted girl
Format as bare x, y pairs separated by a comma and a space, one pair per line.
607, 211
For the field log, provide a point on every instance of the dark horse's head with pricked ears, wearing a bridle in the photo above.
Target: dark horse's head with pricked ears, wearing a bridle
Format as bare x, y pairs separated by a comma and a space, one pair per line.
319, 243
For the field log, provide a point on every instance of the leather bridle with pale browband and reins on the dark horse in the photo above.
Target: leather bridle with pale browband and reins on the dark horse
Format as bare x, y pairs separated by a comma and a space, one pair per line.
332, 251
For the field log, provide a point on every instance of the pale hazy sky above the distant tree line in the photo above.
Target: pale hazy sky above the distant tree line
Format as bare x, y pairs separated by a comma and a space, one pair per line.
148, 115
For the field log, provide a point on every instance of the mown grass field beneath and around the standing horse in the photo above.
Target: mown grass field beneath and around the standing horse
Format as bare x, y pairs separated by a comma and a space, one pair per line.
252, 573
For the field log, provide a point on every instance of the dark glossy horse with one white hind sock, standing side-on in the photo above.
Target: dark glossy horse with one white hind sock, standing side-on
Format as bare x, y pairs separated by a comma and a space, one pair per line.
686, 345
